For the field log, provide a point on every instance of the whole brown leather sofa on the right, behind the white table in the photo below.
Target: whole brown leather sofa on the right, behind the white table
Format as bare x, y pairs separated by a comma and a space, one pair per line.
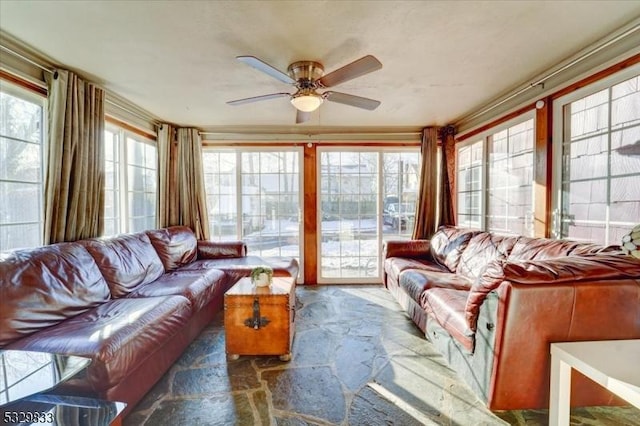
492, 305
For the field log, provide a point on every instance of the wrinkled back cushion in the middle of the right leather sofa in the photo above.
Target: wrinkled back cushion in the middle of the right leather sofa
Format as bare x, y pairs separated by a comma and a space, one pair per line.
484, 247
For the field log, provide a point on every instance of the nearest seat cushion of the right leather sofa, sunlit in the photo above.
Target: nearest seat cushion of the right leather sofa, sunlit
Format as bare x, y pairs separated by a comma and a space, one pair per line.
447, 307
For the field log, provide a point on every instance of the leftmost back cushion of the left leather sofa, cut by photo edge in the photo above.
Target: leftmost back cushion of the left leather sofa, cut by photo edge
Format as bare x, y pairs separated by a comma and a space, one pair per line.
43, 286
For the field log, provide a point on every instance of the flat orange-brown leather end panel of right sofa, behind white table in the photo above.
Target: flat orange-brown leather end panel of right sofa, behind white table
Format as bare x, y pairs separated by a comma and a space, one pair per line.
533, 313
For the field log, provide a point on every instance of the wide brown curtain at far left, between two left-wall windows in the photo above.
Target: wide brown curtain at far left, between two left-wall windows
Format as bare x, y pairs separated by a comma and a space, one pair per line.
74, 182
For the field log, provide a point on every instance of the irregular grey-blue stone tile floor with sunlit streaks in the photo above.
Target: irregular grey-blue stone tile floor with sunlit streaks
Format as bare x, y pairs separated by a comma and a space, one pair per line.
357, 360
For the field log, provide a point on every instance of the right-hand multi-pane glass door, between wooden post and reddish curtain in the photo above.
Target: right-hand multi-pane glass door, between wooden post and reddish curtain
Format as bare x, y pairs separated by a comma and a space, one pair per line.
365, 196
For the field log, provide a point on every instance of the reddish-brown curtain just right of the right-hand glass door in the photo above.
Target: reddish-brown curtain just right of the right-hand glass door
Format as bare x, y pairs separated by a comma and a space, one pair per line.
426, 205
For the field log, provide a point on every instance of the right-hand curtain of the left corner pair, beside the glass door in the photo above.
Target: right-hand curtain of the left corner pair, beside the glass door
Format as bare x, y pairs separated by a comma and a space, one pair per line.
191, 194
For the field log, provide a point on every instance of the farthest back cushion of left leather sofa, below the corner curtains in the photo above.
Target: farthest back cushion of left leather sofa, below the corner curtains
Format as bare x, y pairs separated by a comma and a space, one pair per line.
176, 246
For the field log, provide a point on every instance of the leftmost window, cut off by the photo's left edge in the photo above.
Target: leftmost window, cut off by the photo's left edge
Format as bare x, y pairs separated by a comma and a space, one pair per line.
21, 168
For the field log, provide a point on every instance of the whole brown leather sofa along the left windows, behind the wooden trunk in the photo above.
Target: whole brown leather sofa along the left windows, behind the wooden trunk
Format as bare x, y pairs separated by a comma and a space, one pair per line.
131, 303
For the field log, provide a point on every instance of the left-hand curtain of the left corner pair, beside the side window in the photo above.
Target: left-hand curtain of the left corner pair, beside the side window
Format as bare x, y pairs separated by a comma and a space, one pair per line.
167, 209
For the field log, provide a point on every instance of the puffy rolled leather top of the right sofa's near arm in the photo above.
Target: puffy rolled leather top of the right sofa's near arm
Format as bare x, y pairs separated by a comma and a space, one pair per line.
565, 270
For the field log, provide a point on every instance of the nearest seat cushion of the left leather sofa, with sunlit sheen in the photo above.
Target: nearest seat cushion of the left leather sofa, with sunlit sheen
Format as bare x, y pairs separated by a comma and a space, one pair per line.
118, 336
